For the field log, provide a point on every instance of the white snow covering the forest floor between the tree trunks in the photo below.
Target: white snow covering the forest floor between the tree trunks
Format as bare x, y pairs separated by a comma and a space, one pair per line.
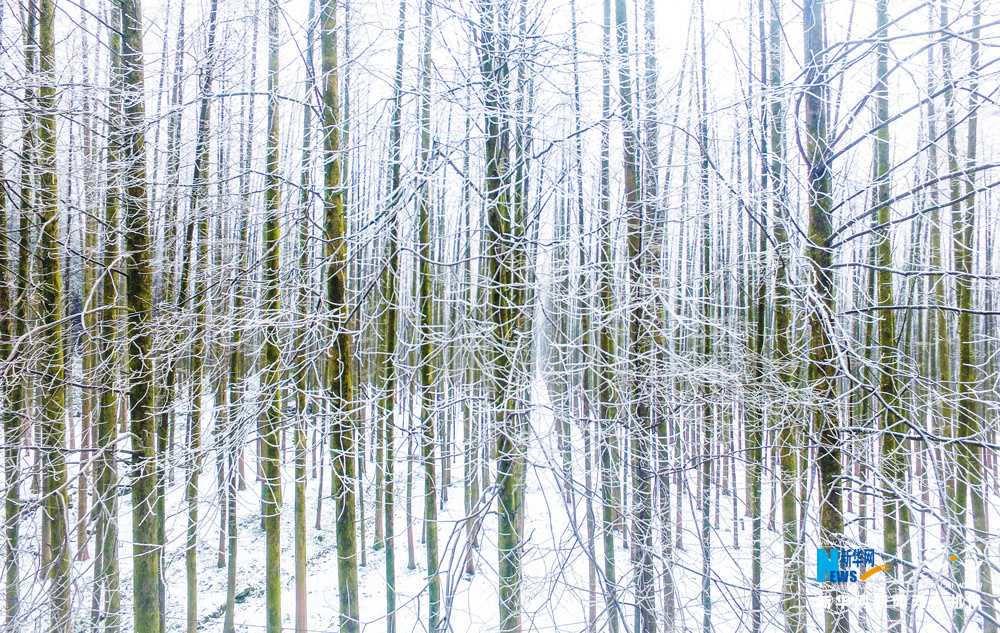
555, 568
